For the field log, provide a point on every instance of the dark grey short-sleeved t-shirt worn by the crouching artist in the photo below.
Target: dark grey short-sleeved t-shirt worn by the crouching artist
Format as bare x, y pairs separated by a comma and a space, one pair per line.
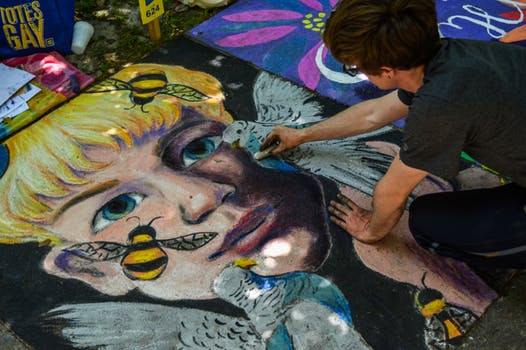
473, 99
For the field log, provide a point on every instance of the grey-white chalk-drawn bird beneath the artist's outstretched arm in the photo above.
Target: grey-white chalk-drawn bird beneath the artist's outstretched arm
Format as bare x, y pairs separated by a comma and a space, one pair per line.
347, 161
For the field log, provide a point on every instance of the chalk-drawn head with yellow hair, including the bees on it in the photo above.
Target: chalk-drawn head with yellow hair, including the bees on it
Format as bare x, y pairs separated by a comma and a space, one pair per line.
155, 192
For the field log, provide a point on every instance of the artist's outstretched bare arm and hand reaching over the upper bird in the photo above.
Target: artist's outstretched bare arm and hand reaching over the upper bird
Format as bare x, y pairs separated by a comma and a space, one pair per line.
358, 119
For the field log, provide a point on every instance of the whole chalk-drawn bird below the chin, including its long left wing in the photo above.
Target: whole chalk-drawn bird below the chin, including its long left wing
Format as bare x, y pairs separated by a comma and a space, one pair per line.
291, 311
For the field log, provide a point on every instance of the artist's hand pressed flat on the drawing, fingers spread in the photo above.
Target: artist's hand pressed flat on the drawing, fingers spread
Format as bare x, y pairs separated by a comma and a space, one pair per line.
353, 219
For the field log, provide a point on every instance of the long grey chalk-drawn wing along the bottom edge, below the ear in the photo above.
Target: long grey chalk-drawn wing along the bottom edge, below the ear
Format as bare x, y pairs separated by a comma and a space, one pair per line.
138, 326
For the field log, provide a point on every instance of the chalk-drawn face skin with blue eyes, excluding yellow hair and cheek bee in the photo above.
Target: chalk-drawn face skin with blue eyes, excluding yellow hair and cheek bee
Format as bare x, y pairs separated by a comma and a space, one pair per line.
191, 183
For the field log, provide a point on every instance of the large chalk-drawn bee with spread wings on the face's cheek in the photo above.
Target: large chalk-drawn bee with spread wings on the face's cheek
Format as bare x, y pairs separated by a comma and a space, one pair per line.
142, 256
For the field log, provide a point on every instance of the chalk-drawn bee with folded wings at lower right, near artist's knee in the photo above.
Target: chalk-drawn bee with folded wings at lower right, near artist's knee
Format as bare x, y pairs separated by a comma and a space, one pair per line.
446, 324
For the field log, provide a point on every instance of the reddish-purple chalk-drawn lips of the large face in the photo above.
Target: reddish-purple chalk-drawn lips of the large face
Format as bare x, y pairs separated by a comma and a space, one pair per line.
249, 223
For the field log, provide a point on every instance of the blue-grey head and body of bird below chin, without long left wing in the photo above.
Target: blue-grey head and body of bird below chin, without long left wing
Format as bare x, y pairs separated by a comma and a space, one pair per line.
302, 308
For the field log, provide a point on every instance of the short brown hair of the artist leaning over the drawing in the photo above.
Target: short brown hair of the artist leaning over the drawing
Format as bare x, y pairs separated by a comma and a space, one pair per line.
401, 34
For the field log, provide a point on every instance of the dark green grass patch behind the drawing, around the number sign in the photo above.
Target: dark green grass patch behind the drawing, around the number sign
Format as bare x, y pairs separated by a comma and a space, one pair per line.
130, 39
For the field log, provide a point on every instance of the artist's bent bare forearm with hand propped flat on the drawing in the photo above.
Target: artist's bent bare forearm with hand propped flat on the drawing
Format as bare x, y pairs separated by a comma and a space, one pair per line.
389, 199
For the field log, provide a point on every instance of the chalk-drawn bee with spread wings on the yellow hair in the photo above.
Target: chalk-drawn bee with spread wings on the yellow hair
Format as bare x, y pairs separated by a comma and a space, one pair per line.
146, 85
